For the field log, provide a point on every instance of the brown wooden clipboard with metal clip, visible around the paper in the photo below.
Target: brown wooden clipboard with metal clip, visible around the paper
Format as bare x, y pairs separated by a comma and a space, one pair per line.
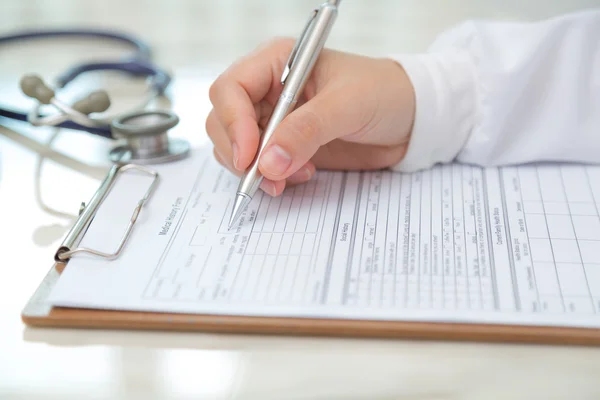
39, 313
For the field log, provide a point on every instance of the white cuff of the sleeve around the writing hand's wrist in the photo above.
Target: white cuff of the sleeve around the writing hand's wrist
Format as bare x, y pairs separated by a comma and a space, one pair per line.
444, 85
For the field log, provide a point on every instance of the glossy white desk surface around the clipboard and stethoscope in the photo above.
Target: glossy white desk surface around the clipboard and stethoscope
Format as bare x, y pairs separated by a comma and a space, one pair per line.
41, 189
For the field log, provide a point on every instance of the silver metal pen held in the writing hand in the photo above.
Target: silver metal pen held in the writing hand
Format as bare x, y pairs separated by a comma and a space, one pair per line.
295, 74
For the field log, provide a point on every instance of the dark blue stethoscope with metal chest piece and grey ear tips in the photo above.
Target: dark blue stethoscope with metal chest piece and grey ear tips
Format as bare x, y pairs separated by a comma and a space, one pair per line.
145, 131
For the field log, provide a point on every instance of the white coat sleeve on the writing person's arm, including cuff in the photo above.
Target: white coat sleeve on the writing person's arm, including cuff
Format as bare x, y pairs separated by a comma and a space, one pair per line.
498, 93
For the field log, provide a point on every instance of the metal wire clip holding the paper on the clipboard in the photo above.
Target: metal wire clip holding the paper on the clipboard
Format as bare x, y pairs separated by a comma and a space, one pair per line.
87, 213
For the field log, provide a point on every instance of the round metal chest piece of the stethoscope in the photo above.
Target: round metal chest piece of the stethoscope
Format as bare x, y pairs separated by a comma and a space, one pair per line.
147, 140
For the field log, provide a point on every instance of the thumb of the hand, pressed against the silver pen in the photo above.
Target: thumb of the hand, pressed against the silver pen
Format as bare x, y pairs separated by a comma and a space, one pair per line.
300, 135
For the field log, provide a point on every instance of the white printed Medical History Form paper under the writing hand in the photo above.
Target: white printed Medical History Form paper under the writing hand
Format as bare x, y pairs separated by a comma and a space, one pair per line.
454, 243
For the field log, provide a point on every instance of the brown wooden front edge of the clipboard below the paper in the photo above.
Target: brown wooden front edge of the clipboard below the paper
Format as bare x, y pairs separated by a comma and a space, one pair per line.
122, 320
